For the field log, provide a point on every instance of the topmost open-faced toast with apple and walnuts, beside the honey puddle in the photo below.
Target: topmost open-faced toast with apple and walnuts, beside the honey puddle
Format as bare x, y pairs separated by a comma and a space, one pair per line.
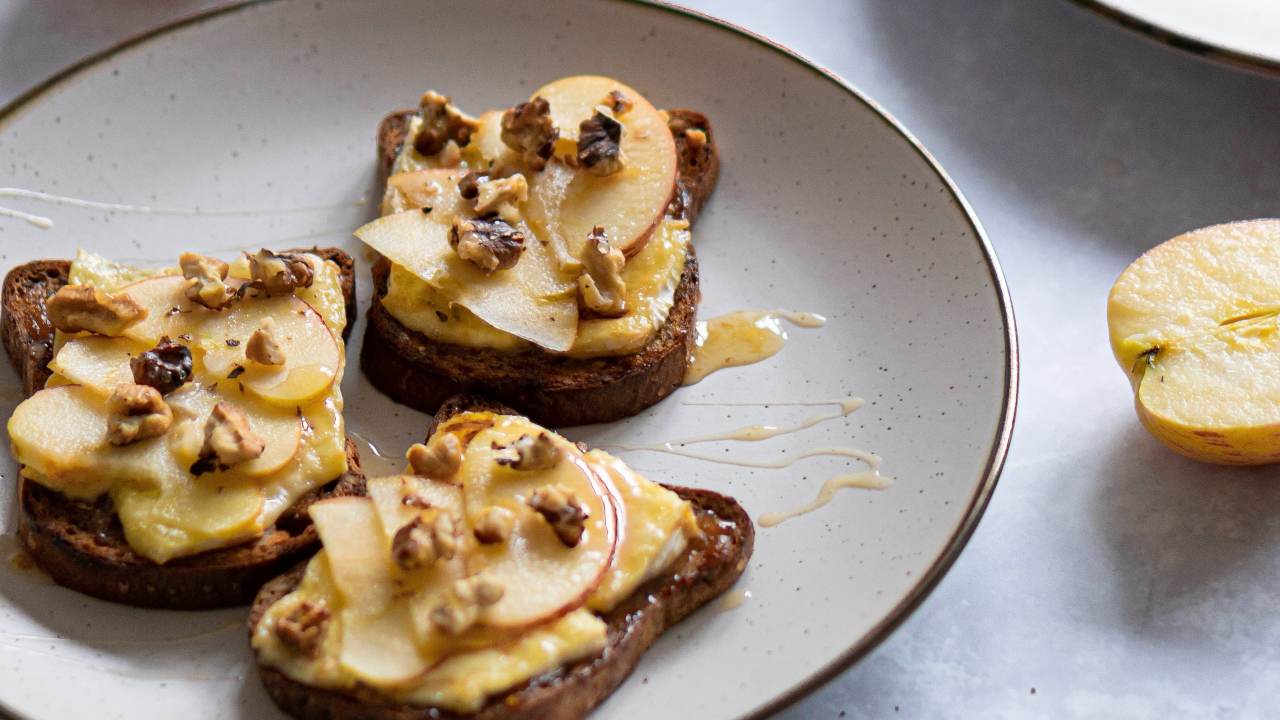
538, 254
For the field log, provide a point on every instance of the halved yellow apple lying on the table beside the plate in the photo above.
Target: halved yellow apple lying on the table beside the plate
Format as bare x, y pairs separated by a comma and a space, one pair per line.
1195, 326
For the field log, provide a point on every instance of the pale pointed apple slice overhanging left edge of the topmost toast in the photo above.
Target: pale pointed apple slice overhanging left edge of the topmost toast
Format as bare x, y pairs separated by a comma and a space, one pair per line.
532, 300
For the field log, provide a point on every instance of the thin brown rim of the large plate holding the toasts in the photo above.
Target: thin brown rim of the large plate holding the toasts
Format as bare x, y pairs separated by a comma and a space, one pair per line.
989, 477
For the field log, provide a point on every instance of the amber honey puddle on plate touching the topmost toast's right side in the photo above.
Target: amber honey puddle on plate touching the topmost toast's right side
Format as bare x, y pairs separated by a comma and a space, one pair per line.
742, 339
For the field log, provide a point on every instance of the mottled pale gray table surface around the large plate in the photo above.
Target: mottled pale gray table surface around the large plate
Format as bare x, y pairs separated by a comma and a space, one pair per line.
1109, 577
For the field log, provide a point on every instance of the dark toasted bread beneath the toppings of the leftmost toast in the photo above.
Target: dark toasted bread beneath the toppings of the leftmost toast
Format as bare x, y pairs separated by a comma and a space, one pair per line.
81, 545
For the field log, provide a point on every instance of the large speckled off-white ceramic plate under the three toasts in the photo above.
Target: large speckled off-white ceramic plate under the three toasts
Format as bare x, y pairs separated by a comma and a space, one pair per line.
825, 206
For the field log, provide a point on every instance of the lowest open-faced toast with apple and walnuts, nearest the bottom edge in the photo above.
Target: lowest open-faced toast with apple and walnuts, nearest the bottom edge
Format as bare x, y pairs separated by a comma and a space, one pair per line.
511, 575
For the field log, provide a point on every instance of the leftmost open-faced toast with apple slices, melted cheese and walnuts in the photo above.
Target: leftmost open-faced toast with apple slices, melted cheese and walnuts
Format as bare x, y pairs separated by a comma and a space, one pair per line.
179, 422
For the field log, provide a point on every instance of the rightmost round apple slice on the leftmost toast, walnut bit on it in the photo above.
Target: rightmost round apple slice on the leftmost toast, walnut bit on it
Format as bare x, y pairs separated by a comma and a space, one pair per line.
313, 357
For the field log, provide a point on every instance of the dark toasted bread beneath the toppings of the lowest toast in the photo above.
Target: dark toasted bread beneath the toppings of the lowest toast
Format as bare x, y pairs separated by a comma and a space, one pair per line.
706, 571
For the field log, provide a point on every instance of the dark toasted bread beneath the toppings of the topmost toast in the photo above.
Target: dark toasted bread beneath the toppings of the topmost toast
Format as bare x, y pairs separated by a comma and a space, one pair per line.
550, 389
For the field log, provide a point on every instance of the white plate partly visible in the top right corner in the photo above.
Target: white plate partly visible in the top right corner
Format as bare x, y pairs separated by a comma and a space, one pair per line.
1237, 31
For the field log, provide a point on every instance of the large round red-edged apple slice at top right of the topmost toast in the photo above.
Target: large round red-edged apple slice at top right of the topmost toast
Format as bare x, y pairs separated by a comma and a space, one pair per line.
628, 204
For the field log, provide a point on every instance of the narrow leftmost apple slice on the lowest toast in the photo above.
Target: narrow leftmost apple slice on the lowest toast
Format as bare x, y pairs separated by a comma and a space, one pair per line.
378, 642
